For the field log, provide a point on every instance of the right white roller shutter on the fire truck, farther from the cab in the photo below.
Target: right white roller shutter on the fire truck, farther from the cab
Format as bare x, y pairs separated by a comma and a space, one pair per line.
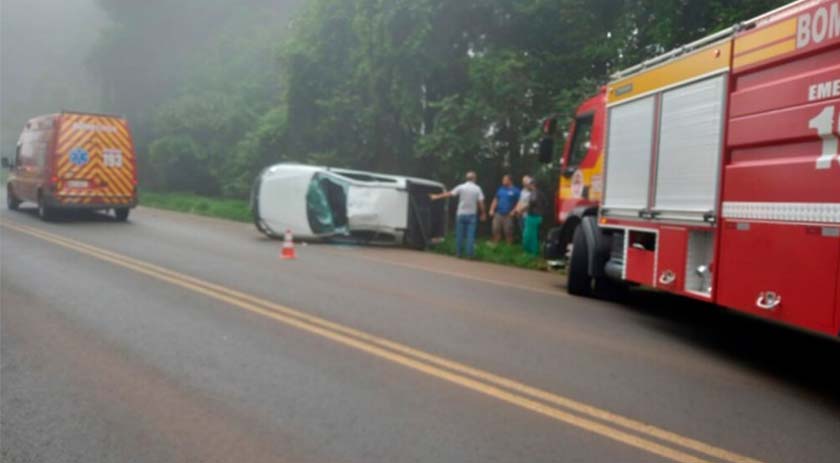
690, 144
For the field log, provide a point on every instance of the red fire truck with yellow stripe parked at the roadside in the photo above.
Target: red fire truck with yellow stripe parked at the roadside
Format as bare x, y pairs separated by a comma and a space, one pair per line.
713, 172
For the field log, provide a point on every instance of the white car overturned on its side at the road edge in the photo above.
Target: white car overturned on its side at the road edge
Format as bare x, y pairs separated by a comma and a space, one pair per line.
326, 203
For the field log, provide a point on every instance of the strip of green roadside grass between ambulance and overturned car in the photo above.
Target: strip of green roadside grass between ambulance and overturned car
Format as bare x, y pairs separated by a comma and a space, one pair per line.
229, 209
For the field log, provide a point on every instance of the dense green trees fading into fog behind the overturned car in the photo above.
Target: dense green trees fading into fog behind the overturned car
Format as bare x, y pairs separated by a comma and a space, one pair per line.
216, 89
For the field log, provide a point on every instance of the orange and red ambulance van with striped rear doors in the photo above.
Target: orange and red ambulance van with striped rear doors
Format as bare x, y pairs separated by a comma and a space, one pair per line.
74, 160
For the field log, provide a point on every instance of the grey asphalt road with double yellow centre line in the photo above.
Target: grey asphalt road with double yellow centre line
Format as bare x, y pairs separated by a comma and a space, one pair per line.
180, 339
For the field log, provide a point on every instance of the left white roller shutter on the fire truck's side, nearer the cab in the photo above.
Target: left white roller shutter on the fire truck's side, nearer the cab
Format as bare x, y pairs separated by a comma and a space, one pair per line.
629, 148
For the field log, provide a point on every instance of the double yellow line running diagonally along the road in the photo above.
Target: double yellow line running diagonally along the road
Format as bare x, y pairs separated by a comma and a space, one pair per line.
595, 420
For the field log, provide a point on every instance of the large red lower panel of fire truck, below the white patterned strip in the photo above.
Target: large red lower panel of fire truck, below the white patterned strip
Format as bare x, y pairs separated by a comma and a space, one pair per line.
795, 262
